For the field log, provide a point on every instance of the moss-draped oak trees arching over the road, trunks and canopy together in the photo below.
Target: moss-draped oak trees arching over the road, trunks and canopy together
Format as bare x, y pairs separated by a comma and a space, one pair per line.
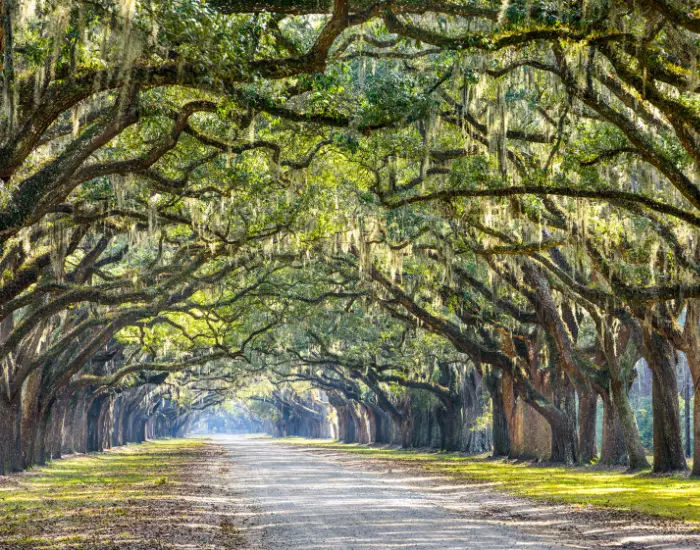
350, 203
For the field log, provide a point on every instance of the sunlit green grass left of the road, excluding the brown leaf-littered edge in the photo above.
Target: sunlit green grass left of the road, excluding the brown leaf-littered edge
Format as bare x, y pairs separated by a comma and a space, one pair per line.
91, 501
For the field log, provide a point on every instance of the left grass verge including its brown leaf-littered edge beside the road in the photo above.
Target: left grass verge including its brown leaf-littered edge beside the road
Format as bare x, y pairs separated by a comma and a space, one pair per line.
152, 495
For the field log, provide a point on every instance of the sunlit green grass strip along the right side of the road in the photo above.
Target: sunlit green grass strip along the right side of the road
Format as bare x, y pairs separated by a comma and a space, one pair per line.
672, 496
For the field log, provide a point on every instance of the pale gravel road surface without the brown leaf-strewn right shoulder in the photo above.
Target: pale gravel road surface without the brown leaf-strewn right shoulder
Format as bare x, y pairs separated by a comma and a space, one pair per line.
308, 502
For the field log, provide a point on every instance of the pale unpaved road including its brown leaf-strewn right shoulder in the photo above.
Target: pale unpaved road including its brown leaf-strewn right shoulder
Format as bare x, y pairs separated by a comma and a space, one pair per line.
311, 500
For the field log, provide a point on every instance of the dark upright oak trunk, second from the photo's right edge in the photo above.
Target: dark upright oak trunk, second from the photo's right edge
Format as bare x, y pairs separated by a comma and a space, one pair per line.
668, 444
